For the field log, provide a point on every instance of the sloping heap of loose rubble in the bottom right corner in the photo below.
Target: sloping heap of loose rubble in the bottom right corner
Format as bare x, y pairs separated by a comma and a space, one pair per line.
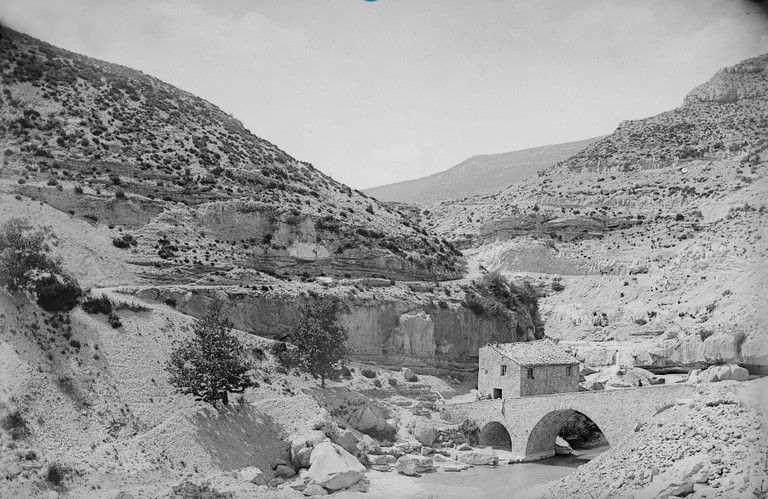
714, 446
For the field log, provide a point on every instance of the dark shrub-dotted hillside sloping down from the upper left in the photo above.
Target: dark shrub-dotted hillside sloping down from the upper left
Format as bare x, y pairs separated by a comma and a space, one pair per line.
197, 191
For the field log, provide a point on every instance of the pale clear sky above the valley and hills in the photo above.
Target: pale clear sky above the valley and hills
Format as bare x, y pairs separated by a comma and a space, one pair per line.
374, 92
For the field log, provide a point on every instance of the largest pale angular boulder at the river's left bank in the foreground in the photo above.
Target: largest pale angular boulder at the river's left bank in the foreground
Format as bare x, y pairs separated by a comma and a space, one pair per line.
333, 467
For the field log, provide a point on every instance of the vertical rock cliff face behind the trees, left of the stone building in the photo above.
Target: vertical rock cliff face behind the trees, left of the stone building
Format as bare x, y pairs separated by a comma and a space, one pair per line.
388, 326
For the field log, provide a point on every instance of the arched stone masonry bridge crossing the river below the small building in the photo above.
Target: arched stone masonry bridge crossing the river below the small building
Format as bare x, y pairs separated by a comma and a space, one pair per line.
529, 425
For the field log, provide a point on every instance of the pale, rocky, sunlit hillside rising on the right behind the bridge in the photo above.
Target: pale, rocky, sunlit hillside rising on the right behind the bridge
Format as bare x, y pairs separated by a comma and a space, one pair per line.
653, 237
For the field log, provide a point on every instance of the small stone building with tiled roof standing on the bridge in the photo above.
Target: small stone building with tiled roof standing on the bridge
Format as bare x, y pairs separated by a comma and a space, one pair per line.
523, 369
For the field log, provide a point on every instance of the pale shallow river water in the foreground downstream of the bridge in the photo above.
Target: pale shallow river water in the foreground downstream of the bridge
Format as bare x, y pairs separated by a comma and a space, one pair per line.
504, 481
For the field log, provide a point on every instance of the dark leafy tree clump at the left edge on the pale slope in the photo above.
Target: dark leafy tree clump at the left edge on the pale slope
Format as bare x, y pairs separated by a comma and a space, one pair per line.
26, 265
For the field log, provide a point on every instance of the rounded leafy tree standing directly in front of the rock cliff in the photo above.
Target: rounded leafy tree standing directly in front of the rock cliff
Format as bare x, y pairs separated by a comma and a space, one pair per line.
321, 345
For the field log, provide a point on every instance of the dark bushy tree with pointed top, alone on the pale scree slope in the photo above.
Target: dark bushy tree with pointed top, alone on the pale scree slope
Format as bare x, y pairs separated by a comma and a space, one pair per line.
212, 363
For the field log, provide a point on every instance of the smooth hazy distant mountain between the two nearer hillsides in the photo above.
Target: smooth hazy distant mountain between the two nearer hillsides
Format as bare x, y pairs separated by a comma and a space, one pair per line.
481, 174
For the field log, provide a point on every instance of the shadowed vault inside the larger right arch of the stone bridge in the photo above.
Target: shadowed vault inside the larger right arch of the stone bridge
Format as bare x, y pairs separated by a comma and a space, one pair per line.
541, 441
